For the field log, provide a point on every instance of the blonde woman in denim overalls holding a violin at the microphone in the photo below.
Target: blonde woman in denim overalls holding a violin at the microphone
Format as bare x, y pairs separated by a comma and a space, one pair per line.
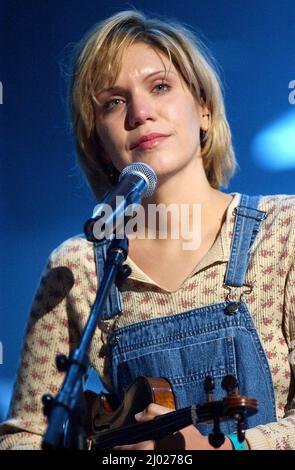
143, 90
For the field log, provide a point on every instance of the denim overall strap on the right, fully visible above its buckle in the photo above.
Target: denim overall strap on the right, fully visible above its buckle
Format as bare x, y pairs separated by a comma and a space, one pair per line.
247, 224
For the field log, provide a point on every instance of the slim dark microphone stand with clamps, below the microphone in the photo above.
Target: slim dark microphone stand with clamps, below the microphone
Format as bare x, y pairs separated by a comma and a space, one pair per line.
69, 404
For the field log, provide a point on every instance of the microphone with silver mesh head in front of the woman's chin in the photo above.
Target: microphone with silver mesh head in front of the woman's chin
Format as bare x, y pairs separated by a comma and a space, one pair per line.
136, 181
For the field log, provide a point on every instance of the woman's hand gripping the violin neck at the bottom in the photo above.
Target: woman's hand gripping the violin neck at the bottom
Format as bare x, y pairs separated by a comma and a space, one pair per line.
188, 438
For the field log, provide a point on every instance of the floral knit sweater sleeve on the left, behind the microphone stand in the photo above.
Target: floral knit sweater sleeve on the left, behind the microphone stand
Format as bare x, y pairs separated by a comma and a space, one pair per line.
51, 329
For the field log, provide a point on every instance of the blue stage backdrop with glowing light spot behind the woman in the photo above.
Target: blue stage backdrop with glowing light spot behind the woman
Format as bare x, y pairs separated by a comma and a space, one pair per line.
44, 199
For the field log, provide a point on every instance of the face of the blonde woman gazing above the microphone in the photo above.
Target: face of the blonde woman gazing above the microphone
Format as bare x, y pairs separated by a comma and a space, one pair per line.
149, 115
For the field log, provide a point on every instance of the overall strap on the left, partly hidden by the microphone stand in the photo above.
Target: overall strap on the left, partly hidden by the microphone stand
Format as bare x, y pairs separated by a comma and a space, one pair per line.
114, 304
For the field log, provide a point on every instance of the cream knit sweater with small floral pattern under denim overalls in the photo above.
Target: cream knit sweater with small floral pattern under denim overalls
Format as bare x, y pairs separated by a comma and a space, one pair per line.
67, 291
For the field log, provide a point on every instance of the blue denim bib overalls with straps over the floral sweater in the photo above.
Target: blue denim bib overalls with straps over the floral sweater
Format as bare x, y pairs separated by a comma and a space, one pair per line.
215, 340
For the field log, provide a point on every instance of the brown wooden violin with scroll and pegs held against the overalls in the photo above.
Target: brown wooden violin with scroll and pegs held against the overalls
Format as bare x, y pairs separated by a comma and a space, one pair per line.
110, 423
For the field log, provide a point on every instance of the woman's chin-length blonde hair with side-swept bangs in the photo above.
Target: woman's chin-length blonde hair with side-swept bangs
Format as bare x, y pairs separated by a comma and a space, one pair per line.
97, 61
